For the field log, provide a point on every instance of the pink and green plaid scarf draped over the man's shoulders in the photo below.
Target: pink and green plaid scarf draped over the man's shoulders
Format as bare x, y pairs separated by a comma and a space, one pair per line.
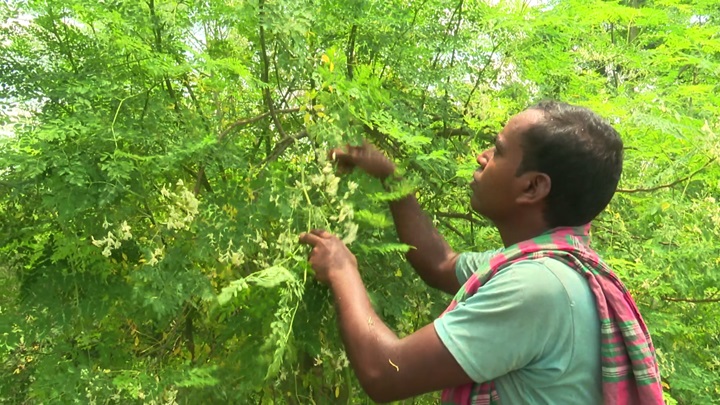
630, 373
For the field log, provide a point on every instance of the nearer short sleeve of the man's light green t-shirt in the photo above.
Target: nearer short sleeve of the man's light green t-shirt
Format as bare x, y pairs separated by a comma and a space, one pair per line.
507, 323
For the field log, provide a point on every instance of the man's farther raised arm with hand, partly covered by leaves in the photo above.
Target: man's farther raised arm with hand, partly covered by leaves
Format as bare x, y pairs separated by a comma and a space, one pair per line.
432, 258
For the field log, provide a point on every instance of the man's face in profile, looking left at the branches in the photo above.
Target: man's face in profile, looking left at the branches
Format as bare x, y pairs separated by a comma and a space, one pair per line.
495, 186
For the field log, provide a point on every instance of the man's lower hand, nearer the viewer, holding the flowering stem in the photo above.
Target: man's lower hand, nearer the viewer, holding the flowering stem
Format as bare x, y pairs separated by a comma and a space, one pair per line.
329, 256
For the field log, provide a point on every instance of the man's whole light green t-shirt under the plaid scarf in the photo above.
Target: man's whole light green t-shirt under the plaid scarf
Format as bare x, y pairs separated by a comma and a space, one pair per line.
533, 329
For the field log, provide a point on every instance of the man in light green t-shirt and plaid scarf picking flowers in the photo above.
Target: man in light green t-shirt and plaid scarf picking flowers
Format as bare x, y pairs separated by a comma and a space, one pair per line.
542, 321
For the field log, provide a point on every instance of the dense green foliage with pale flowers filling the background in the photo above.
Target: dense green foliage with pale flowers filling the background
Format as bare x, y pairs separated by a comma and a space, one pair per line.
164, 155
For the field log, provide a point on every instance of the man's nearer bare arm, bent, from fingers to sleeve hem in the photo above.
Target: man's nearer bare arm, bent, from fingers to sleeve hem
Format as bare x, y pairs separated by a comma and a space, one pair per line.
388, 368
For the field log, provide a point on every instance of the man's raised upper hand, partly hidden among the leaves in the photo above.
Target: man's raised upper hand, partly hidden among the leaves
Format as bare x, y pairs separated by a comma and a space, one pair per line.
367, 157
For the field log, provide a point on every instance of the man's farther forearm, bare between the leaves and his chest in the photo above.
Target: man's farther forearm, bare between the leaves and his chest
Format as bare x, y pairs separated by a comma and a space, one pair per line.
430, 254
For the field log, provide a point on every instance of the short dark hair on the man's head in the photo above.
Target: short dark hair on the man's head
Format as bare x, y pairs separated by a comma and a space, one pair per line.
583, 156
